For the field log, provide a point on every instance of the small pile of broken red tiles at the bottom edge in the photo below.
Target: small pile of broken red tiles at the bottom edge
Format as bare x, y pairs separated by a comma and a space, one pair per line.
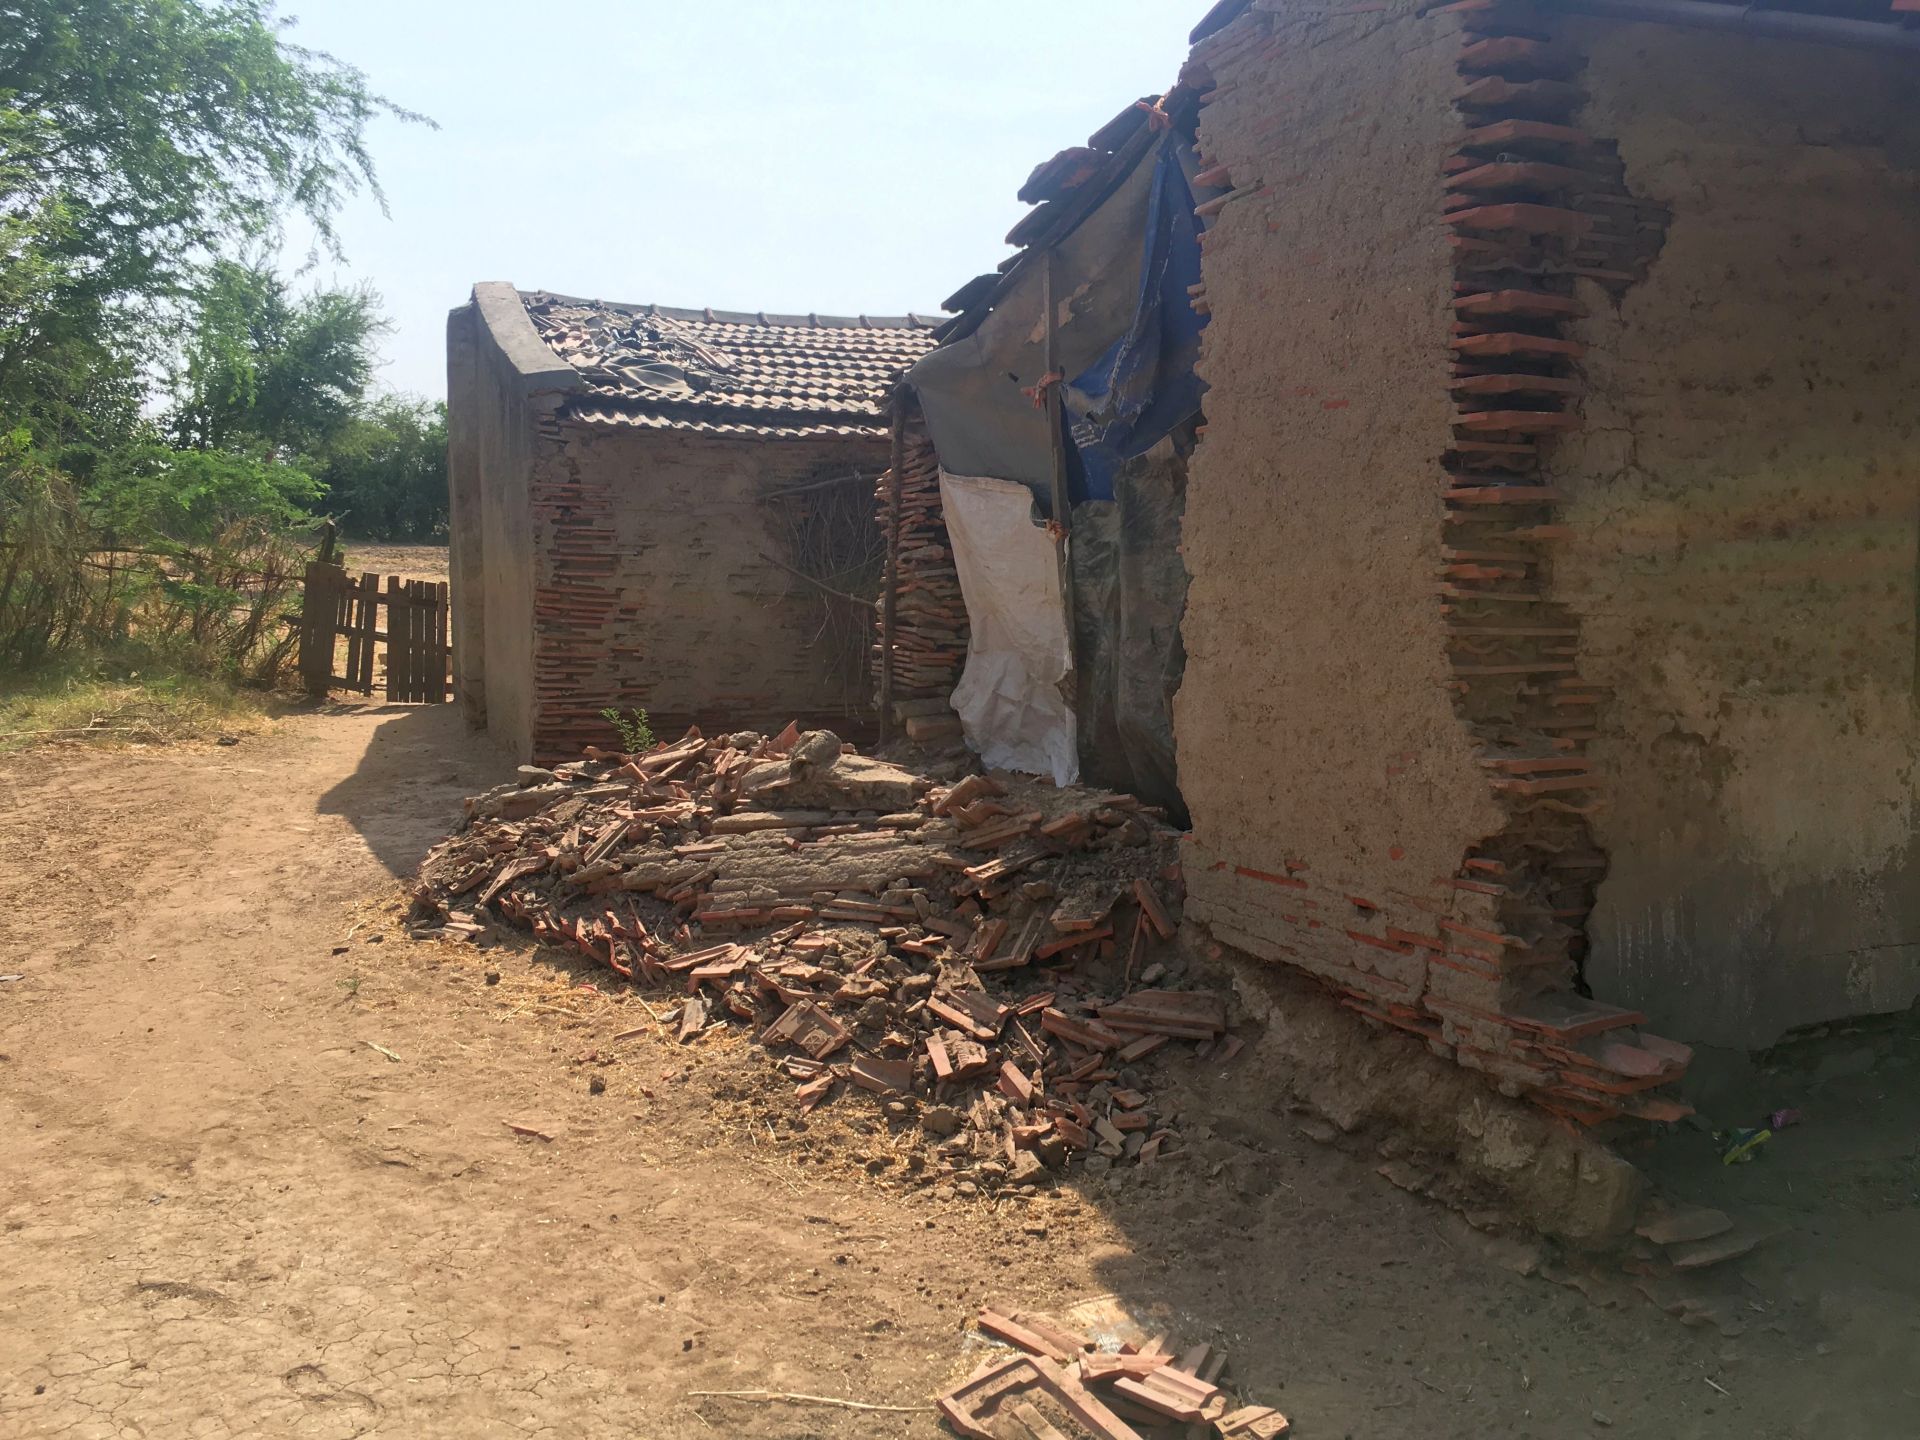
1061, 1387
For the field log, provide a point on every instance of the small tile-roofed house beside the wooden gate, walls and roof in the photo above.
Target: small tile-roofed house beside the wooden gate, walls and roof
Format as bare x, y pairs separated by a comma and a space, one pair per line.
663, 510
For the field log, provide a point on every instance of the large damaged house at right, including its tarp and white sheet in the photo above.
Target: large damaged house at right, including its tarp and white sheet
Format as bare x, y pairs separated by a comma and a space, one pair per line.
1516, 577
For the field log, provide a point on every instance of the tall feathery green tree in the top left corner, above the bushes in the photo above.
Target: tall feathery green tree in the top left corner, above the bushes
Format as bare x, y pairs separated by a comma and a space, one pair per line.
139, 137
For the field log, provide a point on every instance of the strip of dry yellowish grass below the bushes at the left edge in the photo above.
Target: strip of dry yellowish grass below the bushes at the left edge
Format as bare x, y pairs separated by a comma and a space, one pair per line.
76, 708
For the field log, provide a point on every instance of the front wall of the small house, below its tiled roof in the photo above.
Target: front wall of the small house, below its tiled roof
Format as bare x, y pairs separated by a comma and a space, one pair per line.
658, 592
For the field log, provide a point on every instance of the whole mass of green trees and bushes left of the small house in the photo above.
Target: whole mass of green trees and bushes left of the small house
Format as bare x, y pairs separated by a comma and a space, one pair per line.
162, 387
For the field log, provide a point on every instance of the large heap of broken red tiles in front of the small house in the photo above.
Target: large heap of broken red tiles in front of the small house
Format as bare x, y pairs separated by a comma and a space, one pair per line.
986, 953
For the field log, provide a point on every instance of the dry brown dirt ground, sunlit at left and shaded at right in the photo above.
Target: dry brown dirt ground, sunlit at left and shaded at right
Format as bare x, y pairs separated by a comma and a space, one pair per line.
226, 1212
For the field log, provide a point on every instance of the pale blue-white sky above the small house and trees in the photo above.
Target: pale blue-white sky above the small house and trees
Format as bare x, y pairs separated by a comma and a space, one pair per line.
836, 156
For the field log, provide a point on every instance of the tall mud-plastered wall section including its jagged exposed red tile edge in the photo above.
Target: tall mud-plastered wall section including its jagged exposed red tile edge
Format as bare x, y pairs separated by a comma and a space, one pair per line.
1383, 723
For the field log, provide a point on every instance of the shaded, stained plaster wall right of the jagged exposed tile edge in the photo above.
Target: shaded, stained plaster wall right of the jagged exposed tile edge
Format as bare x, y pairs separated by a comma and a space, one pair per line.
1744, 516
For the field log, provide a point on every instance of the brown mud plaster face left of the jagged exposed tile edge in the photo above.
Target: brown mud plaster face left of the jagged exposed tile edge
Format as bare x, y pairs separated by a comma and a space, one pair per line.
1318, 746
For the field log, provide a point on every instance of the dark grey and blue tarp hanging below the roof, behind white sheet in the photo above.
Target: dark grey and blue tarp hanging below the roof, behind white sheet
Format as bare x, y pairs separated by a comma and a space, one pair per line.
1130, 583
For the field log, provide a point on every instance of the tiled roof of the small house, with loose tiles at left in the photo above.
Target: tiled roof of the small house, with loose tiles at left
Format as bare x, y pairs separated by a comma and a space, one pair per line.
729, 373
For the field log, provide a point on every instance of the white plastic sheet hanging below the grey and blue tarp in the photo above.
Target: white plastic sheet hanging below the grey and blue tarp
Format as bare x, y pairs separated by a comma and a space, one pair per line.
1009, 698
